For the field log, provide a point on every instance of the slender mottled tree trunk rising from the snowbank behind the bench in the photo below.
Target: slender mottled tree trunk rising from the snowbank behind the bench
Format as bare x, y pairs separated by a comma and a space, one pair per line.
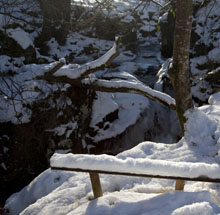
179, 69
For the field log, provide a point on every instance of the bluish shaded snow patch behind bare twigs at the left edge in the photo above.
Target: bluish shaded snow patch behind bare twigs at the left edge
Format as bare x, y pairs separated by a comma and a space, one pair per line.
24, 89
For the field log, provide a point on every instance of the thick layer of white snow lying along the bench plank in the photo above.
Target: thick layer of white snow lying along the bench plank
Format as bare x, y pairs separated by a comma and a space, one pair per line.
135, 166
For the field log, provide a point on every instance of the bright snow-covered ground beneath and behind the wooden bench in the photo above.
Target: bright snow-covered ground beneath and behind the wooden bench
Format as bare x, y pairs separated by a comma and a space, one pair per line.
62, 192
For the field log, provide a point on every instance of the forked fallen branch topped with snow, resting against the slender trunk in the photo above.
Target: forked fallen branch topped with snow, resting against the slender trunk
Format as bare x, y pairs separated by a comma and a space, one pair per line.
79, 77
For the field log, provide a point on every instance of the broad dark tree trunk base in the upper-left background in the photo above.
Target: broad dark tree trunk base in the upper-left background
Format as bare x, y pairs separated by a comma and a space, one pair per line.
56, 19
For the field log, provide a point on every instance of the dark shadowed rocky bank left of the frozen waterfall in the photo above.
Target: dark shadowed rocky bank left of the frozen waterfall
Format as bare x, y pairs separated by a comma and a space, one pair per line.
56, 124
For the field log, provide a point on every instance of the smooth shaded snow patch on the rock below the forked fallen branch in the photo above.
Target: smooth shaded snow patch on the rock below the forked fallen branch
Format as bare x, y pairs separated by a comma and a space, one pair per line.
126, 105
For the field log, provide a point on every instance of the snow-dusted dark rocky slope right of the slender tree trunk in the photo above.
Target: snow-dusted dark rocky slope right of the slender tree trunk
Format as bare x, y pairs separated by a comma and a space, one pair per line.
205, 50
